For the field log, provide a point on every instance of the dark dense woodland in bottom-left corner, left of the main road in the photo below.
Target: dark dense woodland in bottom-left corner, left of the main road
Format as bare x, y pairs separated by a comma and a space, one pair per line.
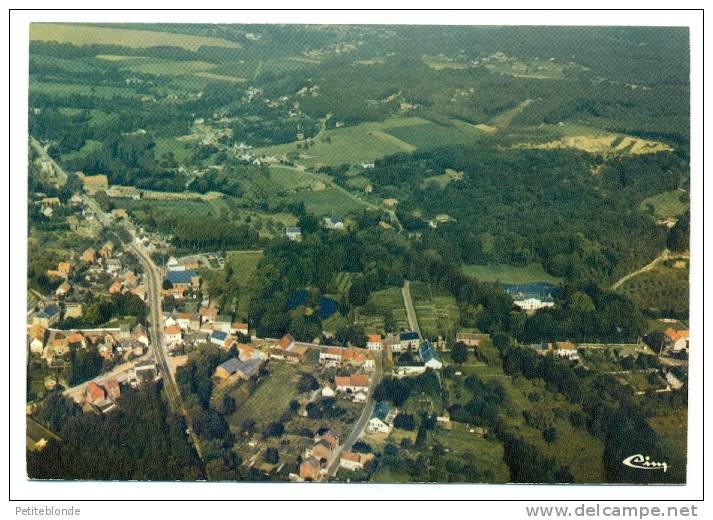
141, 440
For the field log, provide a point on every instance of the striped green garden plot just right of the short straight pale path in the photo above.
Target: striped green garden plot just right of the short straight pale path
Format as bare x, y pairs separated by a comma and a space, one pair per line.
436, 310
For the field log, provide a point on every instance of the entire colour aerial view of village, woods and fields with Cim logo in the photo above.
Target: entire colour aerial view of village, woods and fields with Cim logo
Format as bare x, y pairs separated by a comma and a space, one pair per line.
358, 253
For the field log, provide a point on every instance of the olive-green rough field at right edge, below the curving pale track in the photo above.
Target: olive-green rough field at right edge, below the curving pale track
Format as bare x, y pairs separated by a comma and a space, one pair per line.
664, 288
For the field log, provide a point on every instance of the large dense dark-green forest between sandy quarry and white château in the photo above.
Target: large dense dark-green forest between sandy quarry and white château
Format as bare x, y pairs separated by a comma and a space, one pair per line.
523, 206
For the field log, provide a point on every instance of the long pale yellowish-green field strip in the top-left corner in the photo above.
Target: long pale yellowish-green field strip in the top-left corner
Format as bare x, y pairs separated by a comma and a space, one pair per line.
79, 34
